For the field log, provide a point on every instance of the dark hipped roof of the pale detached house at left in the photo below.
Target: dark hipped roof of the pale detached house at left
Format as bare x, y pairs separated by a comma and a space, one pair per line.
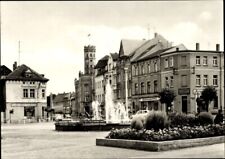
25, 73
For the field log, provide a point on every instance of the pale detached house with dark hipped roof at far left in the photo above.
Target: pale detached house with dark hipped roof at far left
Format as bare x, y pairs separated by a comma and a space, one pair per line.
25, 95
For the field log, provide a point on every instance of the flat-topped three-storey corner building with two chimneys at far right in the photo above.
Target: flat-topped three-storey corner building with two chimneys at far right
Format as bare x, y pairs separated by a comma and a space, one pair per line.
188, 72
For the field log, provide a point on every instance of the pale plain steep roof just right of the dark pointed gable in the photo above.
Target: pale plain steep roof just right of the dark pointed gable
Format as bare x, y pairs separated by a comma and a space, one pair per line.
127, 46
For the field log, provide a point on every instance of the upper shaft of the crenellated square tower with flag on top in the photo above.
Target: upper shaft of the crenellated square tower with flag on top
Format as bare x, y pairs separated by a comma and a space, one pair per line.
89, 59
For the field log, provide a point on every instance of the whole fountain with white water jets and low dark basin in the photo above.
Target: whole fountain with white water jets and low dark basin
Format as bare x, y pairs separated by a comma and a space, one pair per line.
116, 116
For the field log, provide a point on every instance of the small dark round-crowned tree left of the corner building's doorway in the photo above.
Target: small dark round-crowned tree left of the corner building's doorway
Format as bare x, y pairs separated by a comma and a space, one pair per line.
167, 96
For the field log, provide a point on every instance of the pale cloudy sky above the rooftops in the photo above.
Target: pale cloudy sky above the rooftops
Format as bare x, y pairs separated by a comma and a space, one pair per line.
53, 34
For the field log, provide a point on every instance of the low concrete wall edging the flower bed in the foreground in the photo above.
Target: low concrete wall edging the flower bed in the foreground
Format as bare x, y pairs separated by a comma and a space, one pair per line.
159, 145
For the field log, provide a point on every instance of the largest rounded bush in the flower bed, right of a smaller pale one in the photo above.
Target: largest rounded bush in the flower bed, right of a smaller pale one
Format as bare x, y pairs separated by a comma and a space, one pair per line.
156, 120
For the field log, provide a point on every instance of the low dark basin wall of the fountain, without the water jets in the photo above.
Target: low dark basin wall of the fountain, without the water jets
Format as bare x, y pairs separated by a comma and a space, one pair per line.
88, 125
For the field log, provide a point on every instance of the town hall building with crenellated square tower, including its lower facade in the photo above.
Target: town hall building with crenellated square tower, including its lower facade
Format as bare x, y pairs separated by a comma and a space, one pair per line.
84, 86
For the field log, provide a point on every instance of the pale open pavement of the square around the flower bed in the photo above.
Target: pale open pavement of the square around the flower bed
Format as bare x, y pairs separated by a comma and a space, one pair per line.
41, 141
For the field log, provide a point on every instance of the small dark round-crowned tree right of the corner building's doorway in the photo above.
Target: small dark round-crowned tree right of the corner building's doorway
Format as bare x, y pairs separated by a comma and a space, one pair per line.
208, 95
